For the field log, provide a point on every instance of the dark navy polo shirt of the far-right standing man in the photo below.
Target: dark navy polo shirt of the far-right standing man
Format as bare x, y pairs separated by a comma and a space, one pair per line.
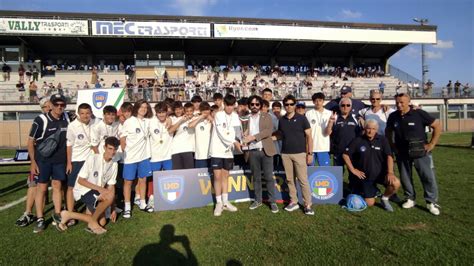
410, 126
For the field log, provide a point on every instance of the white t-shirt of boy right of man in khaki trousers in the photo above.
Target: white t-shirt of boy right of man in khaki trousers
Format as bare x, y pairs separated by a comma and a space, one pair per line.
319, 122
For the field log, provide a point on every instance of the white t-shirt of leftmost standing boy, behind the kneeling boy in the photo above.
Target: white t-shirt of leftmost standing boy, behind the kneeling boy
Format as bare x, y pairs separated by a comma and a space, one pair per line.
79, 137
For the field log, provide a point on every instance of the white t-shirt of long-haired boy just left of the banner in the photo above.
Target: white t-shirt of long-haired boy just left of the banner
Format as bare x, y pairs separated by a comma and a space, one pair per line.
137, 135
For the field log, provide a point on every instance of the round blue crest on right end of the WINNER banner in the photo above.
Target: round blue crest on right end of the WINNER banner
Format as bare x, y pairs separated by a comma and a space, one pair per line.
324, 185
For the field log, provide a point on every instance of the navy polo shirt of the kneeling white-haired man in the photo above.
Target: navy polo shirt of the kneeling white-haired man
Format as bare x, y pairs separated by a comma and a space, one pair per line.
370, 156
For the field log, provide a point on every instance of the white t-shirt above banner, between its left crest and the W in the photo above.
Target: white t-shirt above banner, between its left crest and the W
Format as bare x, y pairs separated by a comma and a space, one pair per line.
183, 140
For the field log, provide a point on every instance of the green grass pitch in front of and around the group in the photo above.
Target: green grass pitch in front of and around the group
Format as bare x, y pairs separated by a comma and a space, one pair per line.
332, 236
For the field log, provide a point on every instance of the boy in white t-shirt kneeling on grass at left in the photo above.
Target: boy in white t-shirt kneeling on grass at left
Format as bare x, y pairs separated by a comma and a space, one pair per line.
95, 187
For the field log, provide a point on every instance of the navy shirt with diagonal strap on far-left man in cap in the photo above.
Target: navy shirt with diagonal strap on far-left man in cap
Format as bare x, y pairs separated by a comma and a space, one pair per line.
46, 125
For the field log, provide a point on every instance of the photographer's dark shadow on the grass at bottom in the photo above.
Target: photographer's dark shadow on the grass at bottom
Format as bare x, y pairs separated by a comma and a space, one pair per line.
162, 253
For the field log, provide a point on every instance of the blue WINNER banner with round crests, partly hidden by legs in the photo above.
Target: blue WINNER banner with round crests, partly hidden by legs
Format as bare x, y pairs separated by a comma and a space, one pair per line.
182, 189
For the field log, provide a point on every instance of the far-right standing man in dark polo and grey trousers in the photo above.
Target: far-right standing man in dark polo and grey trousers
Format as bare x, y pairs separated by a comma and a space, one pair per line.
412, 147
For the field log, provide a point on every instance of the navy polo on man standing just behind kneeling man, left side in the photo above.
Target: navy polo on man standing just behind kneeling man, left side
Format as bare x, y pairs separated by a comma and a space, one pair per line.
344, 130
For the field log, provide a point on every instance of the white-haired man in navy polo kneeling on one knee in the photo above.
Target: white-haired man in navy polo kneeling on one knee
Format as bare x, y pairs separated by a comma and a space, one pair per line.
370, 162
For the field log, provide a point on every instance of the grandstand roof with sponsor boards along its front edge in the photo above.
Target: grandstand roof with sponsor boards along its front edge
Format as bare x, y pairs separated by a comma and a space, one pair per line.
252, 46
